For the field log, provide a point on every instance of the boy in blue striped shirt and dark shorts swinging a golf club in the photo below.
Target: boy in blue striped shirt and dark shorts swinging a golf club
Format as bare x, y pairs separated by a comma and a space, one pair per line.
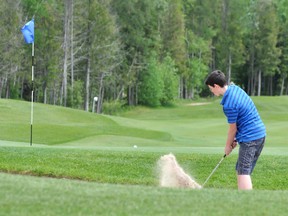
245, 125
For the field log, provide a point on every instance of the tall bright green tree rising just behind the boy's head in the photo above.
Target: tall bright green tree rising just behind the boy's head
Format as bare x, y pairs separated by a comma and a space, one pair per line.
200, 24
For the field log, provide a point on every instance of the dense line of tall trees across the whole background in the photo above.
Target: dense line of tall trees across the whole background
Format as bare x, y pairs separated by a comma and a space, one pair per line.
147, 52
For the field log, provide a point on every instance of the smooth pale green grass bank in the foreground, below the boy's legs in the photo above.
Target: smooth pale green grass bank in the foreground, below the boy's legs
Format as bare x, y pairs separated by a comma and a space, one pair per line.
26, 195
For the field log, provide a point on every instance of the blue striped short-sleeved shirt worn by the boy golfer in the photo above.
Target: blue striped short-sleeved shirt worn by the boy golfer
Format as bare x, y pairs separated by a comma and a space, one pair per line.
240, 109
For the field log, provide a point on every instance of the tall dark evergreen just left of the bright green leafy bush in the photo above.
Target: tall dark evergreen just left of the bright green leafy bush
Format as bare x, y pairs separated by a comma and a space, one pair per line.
138, 23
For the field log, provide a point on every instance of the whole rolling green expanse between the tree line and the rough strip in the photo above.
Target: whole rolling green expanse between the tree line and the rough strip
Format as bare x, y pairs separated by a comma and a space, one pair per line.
188, 124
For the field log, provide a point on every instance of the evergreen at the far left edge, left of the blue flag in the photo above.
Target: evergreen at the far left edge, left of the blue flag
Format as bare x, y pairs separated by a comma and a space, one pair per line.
11, 76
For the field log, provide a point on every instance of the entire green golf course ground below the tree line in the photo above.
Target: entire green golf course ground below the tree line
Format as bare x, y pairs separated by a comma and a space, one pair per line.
82, 163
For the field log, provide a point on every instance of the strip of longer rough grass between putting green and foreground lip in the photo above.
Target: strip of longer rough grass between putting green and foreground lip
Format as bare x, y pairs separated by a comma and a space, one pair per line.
135, 167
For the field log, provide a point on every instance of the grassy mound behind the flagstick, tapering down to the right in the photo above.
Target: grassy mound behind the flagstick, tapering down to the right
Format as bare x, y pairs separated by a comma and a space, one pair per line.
57, 125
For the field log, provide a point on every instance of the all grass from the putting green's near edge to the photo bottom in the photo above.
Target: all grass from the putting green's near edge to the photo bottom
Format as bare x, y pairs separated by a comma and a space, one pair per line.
125, 183
